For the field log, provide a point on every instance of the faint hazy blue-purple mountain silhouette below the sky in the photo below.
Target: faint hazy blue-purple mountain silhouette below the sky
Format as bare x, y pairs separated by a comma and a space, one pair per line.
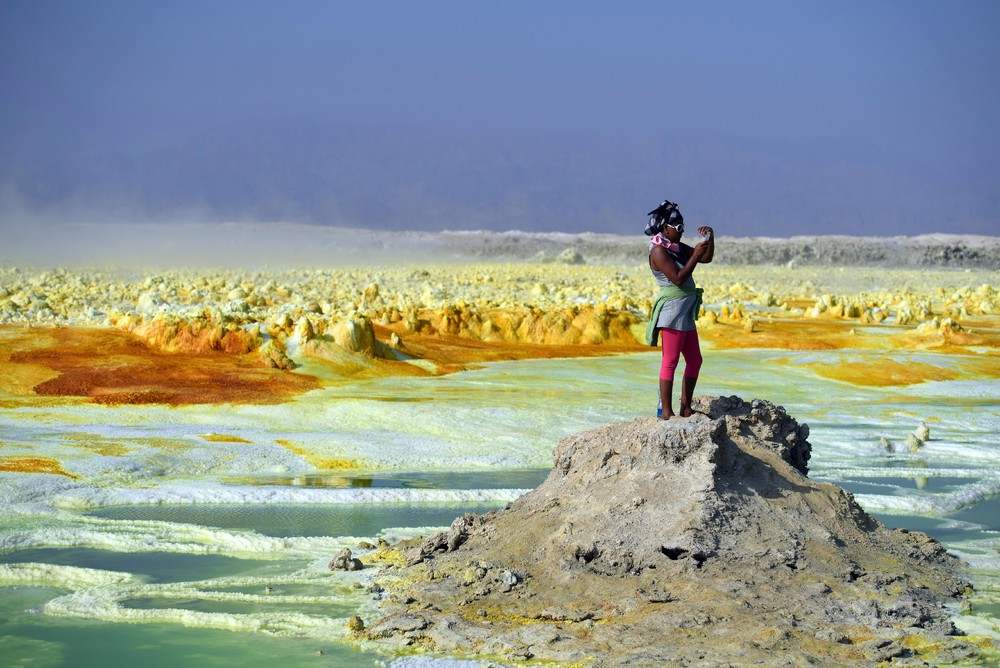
404, 178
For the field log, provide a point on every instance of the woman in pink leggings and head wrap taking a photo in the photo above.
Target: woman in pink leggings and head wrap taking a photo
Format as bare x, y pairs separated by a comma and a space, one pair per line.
676, 308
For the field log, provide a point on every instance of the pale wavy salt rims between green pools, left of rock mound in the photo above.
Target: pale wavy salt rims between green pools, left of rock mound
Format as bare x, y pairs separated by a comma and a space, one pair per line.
99, 594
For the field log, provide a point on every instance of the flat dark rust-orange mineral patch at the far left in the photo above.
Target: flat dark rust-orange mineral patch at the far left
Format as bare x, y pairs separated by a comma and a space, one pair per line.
113, 367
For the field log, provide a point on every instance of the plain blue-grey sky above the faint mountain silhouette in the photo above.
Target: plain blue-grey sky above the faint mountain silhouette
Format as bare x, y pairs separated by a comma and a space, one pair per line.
911, 81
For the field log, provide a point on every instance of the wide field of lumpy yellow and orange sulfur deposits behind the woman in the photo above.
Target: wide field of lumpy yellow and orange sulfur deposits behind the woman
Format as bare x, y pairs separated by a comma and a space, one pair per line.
439, 318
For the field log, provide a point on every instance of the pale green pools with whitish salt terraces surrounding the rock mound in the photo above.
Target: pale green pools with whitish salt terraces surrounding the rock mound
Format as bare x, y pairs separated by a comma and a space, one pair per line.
175, 550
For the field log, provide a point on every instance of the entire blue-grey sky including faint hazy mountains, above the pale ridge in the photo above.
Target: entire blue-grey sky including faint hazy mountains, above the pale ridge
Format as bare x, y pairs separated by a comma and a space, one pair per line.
774, 119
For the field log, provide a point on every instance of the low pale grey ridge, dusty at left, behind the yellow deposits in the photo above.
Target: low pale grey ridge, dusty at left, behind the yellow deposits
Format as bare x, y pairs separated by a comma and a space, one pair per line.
244, 245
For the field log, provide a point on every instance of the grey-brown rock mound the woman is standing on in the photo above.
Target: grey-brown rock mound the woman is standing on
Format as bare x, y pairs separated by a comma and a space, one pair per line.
693, 541
